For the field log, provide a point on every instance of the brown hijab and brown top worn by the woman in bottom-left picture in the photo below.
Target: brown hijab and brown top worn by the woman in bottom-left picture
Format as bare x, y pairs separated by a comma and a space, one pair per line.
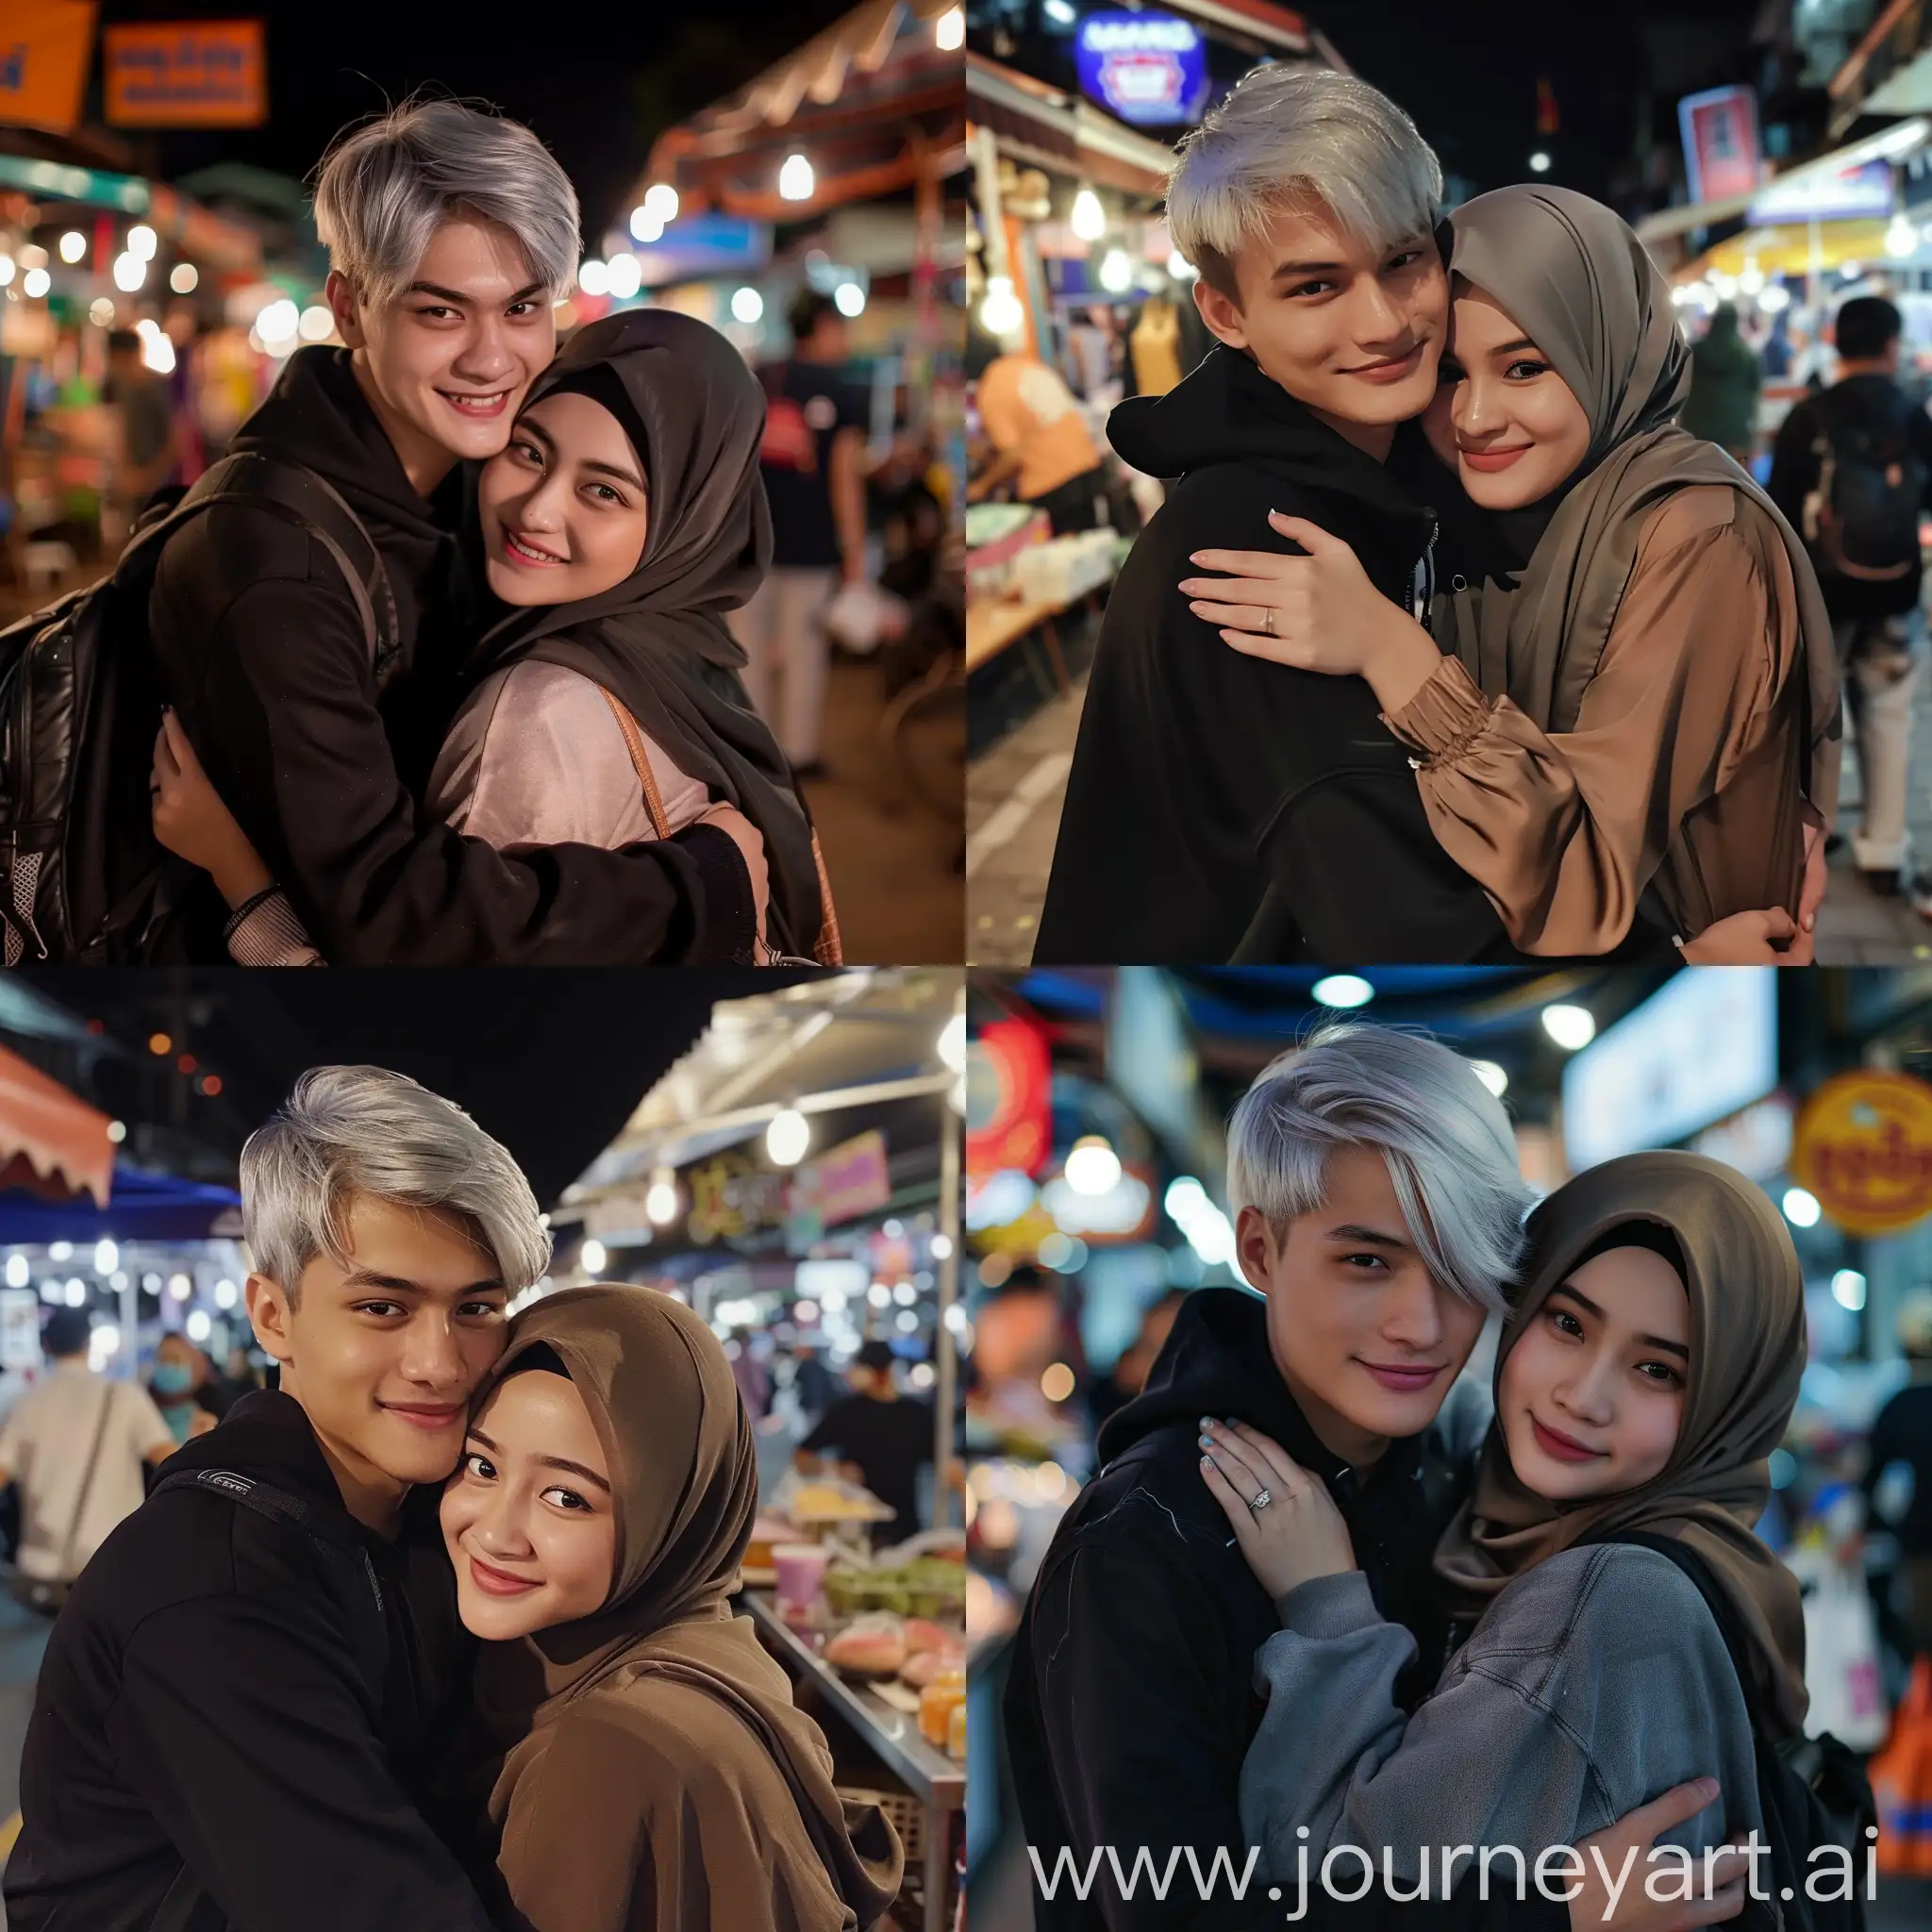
685, 1483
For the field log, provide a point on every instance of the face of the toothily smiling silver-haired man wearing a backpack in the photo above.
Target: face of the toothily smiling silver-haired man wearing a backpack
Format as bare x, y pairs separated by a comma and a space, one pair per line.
449, 360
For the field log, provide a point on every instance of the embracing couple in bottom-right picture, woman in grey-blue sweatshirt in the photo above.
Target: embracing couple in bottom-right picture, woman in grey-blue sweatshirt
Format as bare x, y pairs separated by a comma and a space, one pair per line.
1322, 1599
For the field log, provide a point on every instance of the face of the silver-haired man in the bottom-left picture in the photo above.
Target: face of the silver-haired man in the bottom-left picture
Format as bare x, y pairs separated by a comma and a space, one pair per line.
385, 1348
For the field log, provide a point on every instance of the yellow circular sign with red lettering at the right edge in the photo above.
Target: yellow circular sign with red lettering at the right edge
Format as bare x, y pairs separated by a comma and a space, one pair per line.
1863, 1149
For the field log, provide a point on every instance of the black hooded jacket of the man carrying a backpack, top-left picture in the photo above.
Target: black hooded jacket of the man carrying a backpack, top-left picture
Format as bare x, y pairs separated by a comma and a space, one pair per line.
264, 656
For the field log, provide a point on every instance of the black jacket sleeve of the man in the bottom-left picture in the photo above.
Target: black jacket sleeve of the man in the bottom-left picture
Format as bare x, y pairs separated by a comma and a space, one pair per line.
241, 1728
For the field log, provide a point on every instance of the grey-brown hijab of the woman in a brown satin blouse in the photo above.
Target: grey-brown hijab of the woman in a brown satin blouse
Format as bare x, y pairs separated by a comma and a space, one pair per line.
1593, 300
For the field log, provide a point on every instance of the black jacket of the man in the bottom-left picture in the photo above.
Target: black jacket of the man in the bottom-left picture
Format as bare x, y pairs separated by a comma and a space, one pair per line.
206, 1701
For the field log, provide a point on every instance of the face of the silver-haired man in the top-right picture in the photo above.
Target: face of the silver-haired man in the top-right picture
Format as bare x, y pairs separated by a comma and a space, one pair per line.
1344, 327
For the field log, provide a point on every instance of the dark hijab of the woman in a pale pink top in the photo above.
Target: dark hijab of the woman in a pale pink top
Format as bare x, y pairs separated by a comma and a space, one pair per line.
658, 642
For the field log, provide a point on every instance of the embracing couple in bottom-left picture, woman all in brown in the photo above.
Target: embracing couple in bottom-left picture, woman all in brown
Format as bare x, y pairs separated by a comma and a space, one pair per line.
438, 1634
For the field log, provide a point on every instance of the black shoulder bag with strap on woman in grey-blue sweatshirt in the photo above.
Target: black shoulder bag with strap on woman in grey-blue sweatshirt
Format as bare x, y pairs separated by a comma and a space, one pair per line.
1813, 1790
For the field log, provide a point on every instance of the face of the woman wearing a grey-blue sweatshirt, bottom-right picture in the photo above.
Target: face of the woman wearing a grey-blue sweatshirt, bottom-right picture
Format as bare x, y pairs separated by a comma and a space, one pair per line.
1593, 1394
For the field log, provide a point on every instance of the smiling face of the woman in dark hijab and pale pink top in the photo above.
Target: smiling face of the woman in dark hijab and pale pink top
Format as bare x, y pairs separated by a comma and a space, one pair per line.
563, 507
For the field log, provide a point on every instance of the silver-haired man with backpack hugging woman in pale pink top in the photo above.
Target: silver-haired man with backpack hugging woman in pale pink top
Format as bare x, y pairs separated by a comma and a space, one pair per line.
451, 233
